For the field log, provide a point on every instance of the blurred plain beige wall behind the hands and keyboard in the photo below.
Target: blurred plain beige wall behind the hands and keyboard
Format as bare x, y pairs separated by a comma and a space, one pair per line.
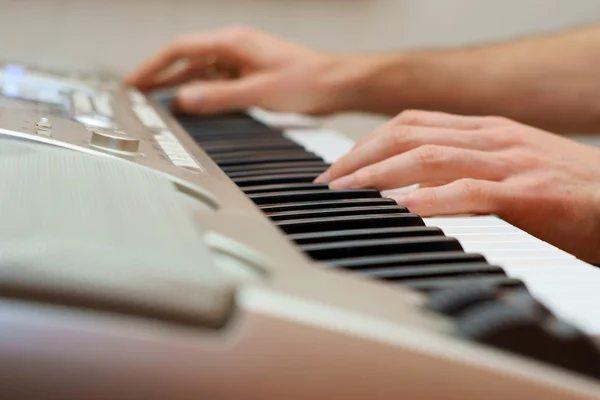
116, 34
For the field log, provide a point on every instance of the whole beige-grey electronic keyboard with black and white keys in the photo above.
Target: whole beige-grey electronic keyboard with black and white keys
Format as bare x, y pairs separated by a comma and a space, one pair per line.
149, 254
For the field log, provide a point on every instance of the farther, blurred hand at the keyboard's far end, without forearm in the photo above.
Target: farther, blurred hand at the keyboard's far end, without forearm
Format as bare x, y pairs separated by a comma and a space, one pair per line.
251, 69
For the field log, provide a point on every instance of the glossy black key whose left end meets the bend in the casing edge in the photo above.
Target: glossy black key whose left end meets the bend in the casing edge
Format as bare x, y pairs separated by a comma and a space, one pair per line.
377, 247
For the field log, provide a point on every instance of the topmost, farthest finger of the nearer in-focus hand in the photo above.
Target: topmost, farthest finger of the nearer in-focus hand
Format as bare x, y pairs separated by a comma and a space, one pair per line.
434, 119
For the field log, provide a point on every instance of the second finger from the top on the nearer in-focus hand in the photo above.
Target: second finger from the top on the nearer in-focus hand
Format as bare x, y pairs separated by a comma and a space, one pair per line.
399, 139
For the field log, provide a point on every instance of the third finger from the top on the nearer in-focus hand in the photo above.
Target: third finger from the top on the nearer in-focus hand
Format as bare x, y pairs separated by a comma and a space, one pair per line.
424, 164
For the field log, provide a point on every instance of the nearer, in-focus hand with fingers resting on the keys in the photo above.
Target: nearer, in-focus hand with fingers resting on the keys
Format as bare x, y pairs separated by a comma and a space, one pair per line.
547, 185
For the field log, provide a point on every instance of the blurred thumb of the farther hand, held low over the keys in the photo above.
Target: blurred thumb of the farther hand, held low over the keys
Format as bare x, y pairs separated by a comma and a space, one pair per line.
220, 96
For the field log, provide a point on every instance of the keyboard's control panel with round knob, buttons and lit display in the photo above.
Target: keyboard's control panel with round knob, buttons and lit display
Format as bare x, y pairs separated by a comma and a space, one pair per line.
101, 116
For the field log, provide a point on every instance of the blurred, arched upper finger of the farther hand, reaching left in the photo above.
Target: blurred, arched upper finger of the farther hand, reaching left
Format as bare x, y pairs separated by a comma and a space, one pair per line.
219, 45
